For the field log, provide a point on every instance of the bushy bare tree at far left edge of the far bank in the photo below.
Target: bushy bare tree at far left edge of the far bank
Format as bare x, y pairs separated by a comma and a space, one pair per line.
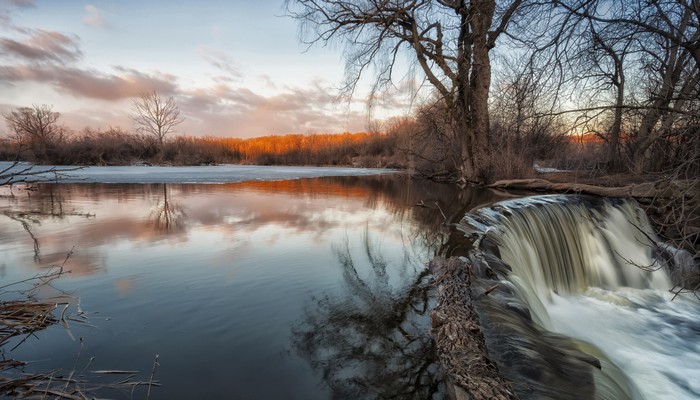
36, 127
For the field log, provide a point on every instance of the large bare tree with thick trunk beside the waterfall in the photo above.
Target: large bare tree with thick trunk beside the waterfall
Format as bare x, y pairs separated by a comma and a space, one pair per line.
449, 39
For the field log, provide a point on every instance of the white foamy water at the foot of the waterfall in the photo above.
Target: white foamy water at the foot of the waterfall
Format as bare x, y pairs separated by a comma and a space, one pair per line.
652, 339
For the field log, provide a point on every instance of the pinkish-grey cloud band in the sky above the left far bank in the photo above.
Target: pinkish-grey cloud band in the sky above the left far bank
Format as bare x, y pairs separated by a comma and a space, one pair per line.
232, 103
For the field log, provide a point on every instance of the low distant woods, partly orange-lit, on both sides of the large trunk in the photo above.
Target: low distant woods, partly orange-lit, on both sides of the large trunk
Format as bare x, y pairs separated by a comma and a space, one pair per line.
423, 144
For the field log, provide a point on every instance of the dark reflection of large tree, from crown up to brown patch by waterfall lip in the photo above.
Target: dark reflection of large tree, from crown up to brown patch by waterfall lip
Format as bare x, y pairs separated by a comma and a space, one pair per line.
371, 340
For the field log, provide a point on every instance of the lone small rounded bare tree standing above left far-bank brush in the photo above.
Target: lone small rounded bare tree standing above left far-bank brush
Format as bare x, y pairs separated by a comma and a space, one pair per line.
155, 115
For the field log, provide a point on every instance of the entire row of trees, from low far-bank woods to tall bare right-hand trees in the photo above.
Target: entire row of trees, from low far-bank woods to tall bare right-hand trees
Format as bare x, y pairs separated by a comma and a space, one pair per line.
512, 81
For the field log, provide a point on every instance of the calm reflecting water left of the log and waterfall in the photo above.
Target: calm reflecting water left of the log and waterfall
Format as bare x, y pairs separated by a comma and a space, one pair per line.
292, 289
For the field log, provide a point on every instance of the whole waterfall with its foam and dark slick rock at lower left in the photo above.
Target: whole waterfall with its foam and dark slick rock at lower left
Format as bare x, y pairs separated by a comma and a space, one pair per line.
588, 269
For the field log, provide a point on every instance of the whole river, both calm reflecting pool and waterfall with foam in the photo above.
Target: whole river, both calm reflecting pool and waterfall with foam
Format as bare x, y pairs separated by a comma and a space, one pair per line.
304, 283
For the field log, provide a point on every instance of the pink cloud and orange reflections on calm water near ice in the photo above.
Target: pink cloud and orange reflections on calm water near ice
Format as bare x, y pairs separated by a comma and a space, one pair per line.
233, 210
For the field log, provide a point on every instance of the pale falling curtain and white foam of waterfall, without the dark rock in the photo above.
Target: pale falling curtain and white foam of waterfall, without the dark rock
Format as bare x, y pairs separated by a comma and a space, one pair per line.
582, 266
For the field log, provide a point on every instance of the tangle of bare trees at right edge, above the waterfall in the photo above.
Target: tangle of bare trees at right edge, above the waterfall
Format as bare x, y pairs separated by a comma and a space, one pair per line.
640, 63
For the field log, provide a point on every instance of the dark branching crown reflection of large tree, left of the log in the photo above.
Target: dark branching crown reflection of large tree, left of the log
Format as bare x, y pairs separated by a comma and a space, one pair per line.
368, 341
